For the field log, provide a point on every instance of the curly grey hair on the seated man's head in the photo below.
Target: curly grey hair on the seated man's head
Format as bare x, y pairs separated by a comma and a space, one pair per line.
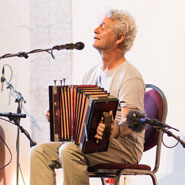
125, 24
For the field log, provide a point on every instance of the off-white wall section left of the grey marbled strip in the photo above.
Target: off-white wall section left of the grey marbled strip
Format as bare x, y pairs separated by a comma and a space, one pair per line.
14, 37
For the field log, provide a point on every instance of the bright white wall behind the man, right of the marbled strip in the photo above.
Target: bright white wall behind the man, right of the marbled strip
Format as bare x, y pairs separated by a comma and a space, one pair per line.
158, 53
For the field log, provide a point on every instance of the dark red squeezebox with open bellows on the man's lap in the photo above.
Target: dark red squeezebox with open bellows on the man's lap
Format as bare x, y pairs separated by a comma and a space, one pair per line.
76, 111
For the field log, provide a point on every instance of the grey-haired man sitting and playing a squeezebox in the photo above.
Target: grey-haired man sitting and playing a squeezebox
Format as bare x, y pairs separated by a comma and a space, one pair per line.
113, 38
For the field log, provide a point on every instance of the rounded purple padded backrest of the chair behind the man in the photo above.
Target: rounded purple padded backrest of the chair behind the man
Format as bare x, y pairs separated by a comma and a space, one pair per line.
155, 105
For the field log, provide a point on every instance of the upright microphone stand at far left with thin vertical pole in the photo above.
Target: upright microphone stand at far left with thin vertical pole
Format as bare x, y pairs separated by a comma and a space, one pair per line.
19, 99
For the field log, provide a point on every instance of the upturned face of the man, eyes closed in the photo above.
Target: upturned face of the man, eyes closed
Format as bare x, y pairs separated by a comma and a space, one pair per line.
104, 38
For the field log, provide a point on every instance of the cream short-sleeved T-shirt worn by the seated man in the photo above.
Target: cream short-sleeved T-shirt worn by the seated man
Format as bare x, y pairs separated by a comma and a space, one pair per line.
126, 83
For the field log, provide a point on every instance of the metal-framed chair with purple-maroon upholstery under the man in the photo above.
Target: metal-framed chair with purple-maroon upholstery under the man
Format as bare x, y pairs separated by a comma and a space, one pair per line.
155, 105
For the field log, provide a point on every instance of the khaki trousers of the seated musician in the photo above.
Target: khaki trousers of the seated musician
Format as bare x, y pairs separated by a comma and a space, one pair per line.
46, 157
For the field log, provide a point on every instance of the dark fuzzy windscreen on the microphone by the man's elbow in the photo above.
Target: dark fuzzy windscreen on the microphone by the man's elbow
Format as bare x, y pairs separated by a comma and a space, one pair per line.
133, 121
